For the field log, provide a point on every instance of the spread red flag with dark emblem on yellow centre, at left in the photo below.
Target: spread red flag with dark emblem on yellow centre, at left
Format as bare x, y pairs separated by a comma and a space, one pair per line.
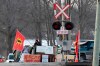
18, 42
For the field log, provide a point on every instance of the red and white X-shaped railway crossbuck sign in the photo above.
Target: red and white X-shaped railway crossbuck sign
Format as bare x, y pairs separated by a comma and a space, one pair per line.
62, 10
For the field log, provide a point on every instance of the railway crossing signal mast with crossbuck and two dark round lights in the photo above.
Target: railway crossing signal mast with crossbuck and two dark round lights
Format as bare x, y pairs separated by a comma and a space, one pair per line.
62, 26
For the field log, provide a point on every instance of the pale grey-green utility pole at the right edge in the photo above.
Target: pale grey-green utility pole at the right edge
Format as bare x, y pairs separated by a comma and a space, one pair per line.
96, 50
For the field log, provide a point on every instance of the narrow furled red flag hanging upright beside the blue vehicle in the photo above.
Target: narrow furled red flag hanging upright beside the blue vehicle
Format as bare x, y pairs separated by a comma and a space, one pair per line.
77, 45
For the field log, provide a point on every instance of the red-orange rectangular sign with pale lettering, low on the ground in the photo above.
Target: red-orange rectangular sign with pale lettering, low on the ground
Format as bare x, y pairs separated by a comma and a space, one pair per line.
32, 58
